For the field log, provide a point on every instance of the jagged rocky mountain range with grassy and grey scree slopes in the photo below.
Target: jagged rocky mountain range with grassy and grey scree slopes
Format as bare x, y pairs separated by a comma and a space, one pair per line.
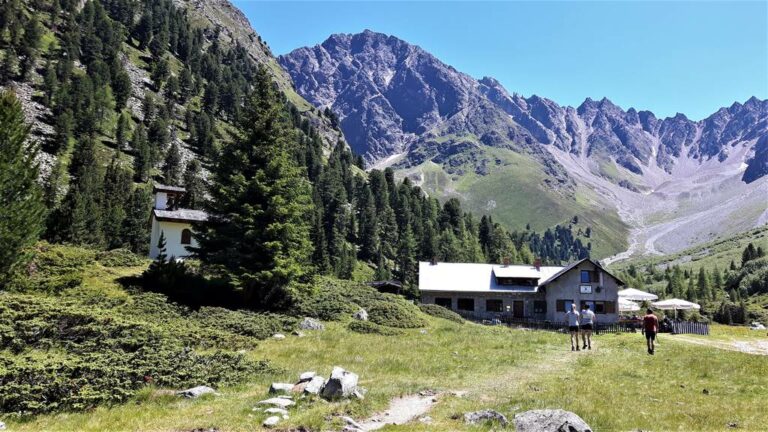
646, 185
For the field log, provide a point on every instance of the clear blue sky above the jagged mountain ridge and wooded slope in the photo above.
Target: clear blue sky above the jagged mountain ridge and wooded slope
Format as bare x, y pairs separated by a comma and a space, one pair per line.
690, 56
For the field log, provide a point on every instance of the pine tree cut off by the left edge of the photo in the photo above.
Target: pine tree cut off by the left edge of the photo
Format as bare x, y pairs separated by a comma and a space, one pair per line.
22, 212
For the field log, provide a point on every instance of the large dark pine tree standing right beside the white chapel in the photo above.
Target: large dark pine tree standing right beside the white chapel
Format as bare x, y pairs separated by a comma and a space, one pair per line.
259, 225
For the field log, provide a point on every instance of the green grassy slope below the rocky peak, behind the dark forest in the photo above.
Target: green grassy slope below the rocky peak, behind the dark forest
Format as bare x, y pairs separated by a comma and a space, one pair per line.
514, 192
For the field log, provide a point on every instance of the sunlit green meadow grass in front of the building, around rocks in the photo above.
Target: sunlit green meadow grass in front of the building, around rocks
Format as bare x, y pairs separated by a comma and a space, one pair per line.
614, 387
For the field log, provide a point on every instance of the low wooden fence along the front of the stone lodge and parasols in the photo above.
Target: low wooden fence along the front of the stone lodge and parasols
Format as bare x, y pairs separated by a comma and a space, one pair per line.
682, 327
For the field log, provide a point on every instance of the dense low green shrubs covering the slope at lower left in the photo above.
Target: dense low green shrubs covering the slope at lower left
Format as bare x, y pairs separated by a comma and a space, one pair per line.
103, 351
